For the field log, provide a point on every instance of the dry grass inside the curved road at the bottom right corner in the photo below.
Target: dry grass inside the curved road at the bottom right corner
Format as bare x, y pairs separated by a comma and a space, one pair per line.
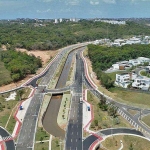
113, 143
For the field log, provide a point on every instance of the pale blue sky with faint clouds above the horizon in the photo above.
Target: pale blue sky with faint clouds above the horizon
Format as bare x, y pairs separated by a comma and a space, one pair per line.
49, 9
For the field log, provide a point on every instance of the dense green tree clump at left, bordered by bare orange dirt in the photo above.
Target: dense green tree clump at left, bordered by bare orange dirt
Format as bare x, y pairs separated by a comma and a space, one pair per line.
19, 64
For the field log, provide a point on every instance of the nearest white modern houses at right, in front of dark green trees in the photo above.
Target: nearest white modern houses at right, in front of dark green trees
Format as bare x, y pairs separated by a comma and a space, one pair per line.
132, 78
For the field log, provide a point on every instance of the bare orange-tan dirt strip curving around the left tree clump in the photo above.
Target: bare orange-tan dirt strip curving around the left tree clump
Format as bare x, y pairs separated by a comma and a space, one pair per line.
45, 57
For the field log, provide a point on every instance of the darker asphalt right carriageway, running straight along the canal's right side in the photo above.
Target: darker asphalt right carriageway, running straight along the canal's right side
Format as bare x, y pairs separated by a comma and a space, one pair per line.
74, 130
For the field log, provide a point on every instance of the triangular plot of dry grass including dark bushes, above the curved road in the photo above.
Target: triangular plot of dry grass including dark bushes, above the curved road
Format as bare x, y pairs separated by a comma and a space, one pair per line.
102, 115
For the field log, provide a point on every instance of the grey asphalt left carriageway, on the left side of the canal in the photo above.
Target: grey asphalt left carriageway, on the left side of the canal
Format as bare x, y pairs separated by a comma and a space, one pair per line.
27, 133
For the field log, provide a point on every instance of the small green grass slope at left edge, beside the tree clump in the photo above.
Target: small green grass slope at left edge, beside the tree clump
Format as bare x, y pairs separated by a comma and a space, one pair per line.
5, 77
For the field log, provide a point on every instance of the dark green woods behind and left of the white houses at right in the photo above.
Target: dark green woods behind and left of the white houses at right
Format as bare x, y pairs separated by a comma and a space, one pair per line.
103, 58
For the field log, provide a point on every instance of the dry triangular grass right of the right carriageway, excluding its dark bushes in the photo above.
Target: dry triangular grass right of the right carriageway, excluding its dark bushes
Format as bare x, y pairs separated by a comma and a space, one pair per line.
104, 120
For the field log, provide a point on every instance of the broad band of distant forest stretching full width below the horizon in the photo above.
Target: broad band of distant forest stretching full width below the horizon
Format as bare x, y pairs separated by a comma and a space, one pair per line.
53, 36
